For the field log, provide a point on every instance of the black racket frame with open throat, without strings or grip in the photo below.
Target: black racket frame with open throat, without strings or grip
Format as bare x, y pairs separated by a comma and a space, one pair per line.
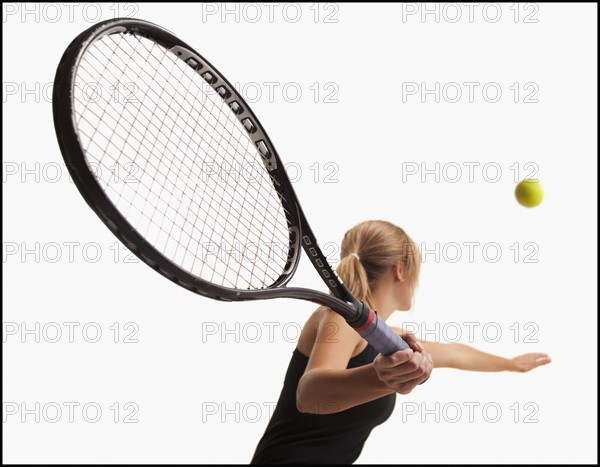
342, 301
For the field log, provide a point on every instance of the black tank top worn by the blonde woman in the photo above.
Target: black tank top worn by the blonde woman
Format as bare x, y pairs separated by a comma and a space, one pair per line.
293, 437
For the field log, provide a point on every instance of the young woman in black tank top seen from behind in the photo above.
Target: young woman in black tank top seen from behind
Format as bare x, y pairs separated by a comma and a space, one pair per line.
337, 388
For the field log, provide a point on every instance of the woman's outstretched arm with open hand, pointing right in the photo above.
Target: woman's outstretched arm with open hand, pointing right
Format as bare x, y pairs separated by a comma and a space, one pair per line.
463, 357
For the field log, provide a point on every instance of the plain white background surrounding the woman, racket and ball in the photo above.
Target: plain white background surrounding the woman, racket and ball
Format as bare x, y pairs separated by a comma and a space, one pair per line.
200, 394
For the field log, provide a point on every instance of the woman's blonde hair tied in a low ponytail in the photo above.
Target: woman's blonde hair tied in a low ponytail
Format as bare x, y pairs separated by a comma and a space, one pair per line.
369, 250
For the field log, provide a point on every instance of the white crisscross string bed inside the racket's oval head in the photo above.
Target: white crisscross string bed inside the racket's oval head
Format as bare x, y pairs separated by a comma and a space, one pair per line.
176, 136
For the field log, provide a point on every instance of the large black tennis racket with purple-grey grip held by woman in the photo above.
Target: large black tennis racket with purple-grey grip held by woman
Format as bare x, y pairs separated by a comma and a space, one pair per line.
175, 163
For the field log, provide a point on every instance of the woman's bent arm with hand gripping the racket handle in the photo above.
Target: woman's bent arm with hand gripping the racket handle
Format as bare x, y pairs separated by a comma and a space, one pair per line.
327, 386
